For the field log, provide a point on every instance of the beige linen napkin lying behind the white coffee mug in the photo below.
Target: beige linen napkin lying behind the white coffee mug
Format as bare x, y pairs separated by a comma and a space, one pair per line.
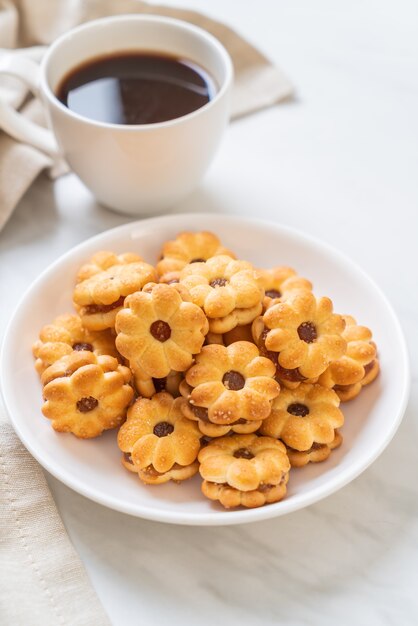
24, 23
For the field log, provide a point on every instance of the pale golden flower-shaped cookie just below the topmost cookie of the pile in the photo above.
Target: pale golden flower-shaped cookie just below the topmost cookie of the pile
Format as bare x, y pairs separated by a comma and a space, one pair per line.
229, 291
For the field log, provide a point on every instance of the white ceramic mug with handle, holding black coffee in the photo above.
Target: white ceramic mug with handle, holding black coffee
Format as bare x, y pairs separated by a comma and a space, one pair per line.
130, 168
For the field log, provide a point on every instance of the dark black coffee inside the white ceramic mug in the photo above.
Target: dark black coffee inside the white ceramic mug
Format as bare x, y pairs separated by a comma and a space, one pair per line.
136, 88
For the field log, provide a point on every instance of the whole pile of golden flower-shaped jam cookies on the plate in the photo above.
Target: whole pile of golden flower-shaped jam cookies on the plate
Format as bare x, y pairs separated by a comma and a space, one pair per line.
204, 364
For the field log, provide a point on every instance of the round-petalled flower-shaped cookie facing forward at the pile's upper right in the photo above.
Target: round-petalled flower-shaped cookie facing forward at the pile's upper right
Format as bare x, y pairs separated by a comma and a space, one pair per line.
305, 332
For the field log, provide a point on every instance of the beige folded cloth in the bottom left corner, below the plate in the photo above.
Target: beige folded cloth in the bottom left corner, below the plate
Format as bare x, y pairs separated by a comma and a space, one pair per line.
42, 580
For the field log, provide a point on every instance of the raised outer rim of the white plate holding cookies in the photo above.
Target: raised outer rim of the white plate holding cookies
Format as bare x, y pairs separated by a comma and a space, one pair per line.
219, 517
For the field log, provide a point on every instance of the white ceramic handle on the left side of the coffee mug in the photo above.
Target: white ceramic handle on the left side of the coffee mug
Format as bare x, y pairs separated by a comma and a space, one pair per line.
13, 122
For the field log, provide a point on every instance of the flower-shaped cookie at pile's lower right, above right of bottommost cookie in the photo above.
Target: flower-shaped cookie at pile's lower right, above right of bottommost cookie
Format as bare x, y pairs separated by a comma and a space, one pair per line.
304, 416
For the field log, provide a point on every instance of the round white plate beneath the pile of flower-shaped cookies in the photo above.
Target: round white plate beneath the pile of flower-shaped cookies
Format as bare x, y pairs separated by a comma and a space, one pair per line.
93, 467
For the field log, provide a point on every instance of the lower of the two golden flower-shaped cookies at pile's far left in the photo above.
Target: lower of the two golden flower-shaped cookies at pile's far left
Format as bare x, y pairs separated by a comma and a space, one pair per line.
85, 394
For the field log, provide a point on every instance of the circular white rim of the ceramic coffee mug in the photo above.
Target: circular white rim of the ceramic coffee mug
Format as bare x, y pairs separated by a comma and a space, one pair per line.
176, 23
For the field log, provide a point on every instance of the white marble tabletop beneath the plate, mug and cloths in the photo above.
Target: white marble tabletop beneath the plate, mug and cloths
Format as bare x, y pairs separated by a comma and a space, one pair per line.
339, 162
